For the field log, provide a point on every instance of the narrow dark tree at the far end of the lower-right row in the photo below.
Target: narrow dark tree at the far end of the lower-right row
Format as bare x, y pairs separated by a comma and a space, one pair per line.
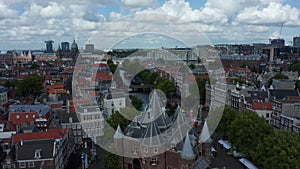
228, 116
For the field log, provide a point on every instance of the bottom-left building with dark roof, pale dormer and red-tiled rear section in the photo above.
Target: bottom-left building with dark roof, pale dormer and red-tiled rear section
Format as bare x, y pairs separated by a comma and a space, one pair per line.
50, 149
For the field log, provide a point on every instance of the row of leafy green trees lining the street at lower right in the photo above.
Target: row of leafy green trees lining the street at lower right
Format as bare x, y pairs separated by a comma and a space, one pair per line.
251, 135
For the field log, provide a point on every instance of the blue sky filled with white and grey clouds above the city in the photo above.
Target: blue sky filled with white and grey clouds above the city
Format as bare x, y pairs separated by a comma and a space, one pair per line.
28, 23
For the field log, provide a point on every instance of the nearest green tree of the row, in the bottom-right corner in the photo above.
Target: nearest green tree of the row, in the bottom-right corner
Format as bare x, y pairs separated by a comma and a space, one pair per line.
281, 149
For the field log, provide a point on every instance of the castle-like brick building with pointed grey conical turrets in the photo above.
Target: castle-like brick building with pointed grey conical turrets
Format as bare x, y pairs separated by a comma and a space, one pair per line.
147, 143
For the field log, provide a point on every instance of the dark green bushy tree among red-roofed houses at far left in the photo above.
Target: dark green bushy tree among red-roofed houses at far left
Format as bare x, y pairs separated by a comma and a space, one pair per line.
31, 85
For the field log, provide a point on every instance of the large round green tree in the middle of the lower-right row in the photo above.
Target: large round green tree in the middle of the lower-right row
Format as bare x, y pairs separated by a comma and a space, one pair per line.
247, 130
